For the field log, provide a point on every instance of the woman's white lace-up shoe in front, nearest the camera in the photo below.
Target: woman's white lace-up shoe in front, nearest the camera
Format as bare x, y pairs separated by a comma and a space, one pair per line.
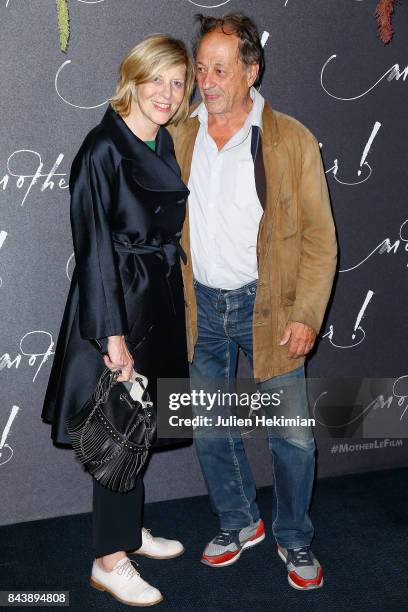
125, 584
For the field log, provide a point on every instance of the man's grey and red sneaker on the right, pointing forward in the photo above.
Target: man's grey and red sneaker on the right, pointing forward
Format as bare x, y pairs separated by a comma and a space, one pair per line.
304, 570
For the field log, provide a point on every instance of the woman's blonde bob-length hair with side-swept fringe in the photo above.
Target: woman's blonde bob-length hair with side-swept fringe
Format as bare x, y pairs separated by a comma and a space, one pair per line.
145, 61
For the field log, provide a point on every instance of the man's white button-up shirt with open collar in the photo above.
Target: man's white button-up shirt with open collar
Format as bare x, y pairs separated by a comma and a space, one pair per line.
224, 208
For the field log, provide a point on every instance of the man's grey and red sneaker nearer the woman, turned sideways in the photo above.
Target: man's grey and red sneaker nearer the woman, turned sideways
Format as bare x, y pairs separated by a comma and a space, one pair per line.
227, 547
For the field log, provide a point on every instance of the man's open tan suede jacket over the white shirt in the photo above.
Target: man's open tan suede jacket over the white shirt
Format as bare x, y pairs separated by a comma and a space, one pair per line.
296, 247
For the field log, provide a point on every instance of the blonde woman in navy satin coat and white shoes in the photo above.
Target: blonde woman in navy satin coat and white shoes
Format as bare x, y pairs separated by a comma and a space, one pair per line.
127, 210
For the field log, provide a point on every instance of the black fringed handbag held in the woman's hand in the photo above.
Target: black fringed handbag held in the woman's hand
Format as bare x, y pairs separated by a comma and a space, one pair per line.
113, 432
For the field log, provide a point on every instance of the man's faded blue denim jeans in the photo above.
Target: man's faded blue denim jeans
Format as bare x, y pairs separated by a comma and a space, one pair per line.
224, 326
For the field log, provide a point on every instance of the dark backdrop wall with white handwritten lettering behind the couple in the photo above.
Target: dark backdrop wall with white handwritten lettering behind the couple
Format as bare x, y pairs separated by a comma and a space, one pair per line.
325, 66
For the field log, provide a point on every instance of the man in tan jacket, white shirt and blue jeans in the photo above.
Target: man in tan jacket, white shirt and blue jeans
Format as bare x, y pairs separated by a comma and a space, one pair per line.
261, 250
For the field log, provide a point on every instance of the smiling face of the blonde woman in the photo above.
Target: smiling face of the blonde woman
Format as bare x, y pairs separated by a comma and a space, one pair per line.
159, 99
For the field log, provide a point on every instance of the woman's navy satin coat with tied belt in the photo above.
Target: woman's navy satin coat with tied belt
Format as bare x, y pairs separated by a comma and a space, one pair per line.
127, 211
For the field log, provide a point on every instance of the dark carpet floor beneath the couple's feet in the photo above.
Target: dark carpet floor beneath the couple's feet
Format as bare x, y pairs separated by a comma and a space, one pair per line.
361, 540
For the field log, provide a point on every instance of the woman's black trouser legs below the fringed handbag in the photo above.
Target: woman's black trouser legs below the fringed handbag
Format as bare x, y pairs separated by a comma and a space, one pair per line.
117, 519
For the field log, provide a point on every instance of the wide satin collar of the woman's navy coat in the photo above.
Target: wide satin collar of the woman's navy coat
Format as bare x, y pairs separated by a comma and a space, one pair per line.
154, 170
